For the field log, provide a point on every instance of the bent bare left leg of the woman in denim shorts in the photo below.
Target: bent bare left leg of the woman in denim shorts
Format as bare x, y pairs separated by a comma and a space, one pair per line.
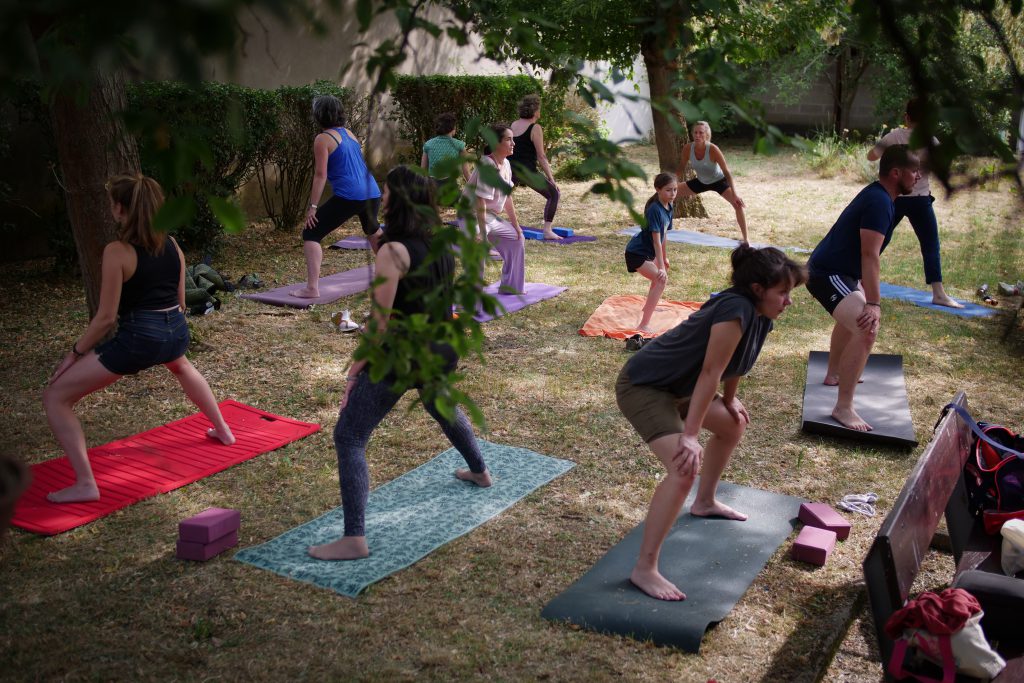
83, 378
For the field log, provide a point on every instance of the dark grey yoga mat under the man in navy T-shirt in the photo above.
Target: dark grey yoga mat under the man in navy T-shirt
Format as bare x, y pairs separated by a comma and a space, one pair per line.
881, 400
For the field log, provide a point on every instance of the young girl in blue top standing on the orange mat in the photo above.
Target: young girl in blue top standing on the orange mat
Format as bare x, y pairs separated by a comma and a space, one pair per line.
646, 251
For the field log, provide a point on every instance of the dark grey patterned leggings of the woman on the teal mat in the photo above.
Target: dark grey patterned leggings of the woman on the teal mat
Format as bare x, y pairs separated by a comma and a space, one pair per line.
368, 404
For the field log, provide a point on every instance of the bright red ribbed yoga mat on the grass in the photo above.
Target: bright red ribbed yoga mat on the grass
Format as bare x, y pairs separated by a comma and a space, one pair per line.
154, 462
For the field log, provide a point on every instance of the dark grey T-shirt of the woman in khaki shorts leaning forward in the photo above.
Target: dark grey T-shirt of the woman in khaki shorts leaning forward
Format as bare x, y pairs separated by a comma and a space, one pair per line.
673, 361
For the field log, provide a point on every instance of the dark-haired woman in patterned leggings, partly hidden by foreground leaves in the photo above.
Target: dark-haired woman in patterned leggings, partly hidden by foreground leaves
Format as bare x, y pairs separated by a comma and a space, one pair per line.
409, 275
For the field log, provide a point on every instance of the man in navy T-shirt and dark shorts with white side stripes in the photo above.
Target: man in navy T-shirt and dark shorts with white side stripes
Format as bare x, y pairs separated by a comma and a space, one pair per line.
845, 276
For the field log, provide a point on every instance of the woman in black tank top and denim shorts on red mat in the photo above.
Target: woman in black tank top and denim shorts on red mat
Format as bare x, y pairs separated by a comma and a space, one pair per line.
143, 288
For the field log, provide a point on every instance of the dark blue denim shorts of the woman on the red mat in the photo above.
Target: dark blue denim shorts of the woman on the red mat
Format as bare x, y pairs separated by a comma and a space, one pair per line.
145, 339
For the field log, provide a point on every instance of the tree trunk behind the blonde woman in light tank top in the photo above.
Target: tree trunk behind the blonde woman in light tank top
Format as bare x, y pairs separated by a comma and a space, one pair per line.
668, 142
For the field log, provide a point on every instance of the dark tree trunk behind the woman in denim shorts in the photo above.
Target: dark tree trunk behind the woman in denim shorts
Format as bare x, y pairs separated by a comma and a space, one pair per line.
93, 146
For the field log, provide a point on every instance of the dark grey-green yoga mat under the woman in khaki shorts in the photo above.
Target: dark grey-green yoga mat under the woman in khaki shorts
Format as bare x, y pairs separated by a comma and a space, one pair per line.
712, 561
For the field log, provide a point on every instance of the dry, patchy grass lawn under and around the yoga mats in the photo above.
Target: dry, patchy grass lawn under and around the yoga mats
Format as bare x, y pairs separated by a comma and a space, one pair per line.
110, 602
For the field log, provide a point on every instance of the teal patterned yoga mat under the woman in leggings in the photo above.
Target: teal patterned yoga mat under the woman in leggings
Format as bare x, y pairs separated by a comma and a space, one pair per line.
409, 518
